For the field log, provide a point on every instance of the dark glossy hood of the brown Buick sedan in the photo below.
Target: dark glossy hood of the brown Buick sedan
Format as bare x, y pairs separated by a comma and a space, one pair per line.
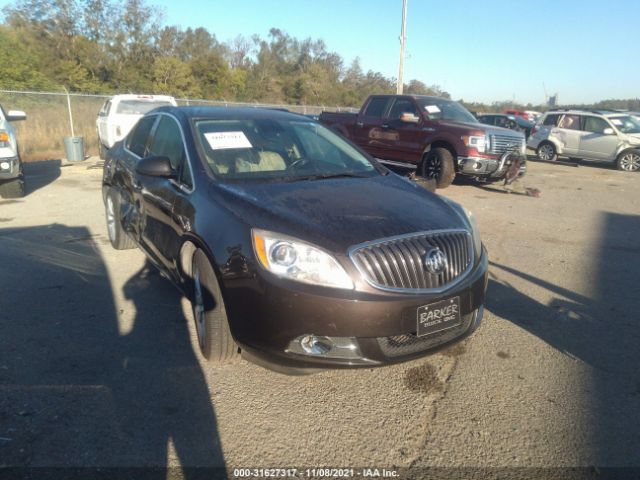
342, 212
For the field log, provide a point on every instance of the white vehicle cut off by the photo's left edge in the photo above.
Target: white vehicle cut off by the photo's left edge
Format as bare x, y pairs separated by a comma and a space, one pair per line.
11, 177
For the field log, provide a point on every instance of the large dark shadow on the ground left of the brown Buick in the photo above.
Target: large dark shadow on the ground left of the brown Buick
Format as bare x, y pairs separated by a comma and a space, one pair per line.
87, 385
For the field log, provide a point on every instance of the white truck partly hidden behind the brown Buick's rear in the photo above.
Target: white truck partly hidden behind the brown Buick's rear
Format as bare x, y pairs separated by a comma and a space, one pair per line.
120, 113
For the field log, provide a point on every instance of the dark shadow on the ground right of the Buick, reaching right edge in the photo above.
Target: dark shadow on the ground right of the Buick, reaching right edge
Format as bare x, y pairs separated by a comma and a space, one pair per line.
600, 329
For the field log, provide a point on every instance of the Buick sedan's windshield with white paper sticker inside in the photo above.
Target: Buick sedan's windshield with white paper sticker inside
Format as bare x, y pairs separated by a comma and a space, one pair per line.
278, 150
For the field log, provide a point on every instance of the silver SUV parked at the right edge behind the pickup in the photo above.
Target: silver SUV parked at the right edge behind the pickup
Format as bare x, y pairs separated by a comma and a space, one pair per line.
588, 135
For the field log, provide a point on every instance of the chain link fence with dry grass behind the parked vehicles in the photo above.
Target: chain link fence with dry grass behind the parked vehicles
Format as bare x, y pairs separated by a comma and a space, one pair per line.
49, 120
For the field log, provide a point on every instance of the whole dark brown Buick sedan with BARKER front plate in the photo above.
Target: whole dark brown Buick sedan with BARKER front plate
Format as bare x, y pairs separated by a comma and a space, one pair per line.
292, 244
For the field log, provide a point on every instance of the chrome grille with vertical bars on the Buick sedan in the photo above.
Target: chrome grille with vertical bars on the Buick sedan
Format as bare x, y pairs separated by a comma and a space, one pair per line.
397, 263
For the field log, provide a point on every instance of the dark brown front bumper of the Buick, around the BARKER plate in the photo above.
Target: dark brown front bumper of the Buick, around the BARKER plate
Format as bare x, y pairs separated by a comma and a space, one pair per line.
266, 317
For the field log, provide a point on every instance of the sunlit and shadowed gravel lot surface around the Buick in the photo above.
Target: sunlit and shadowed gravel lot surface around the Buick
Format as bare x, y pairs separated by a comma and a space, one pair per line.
98, 366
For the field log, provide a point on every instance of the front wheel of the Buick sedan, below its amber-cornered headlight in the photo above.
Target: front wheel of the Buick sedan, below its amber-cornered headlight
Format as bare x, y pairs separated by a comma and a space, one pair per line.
210, 315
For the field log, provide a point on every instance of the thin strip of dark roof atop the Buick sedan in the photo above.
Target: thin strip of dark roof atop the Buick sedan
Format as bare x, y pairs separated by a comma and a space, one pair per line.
231, 113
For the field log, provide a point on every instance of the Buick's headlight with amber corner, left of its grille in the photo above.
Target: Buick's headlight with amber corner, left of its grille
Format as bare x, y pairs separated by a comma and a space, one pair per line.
296, 260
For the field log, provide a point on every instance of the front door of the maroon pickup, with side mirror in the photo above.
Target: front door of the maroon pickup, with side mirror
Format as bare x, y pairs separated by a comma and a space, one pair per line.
400, 139
